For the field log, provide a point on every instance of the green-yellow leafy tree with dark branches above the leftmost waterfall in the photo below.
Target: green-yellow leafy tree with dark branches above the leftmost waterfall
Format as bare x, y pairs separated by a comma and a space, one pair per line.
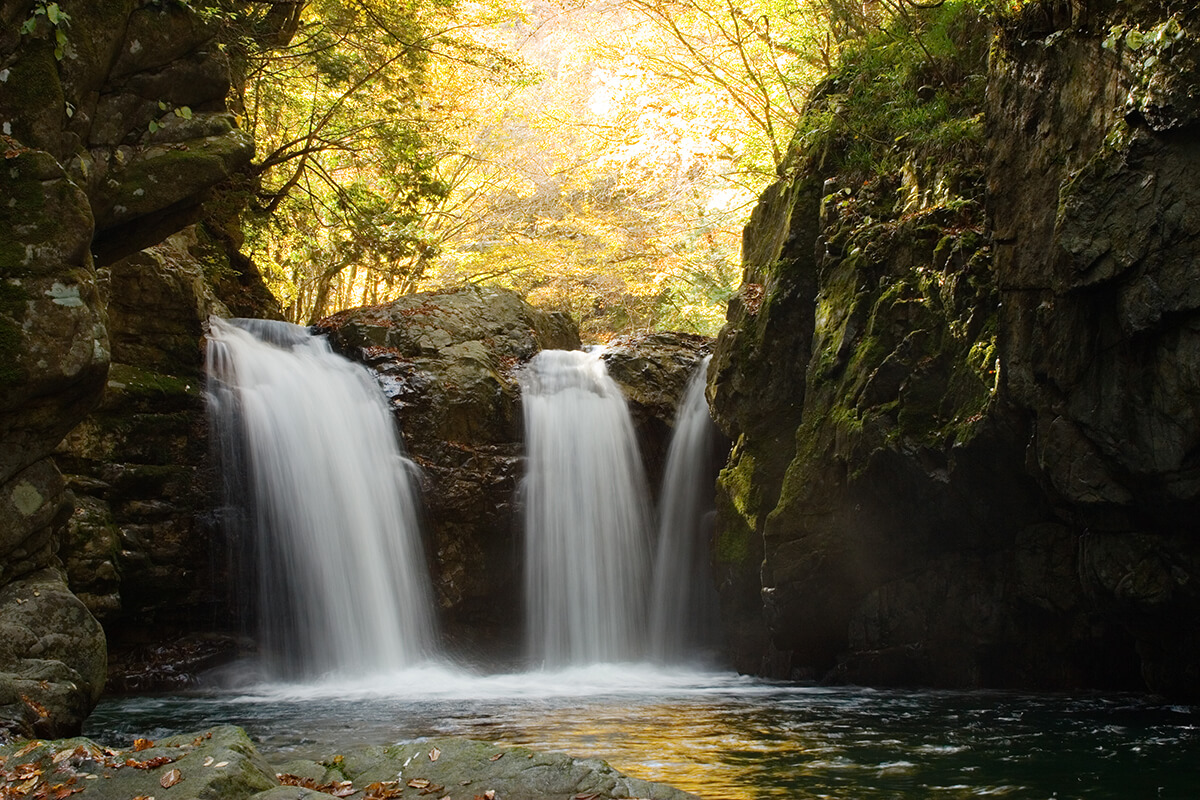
334, 93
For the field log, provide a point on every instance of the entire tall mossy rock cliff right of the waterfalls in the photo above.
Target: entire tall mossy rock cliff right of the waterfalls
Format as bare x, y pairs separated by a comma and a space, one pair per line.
963, 386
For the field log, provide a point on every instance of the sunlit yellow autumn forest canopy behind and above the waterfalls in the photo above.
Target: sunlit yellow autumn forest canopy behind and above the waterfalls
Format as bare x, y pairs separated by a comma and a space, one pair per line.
601, 158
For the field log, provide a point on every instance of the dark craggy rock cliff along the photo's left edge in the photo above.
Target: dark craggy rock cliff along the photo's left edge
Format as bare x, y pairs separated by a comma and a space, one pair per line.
115, 128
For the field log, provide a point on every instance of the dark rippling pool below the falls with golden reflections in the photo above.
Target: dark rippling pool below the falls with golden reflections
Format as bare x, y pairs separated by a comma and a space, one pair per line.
724, 737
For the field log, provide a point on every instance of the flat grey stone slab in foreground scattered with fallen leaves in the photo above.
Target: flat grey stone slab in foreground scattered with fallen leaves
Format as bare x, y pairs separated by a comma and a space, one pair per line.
224, 765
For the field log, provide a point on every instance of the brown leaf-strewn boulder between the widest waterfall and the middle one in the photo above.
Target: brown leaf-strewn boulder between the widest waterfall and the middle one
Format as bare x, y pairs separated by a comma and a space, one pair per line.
448, 364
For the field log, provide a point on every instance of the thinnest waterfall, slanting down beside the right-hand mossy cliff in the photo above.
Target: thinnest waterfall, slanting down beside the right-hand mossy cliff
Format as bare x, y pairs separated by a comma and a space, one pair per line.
685, 604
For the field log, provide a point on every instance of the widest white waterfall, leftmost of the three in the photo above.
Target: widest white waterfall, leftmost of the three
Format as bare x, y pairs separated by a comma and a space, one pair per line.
317, 482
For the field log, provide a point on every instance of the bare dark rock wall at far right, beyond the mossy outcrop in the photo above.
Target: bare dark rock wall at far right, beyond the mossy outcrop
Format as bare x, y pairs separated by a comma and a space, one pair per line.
1097, 260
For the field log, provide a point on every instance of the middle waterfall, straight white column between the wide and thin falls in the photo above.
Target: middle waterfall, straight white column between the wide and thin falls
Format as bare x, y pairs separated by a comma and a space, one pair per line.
586, 528
